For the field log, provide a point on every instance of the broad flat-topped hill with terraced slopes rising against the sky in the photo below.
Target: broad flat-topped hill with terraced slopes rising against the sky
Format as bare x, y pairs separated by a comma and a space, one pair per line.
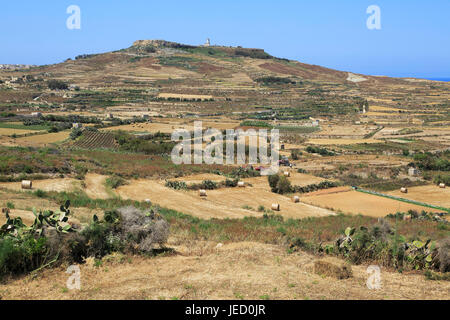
234, 79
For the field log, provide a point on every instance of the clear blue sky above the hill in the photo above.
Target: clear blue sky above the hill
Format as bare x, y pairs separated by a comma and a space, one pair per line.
414, 39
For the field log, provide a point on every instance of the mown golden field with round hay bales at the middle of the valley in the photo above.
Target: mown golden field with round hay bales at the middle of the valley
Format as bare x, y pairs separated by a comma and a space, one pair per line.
220, 203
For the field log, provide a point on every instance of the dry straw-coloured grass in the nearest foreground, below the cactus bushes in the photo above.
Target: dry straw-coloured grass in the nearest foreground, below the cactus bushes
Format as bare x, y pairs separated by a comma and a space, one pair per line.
246, 270
